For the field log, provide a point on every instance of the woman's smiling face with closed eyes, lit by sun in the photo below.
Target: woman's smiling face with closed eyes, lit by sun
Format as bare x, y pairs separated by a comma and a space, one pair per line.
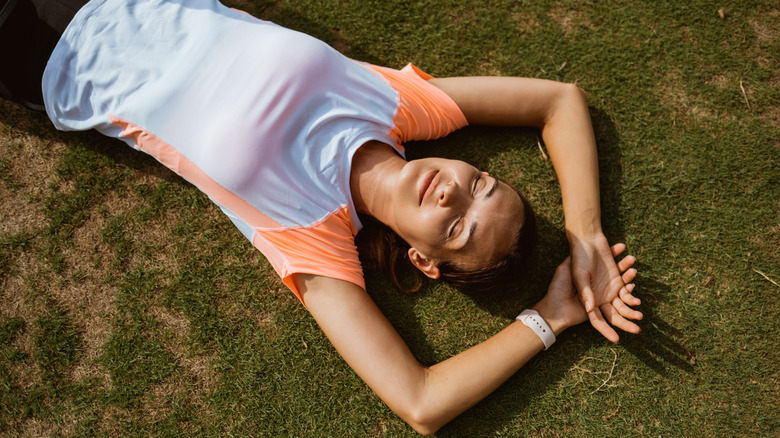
449, 210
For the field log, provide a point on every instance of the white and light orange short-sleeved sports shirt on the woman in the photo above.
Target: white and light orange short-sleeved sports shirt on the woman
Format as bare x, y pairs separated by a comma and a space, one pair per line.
263, 119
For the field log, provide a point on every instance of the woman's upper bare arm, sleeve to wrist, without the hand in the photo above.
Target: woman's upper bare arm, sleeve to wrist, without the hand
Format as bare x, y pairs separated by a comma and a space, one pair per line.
561, 112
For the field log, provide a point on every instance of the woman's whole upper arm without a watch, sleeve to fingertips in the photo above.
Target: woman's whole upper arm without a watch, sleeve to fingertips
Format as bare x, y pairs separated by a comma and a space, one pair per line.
560, 111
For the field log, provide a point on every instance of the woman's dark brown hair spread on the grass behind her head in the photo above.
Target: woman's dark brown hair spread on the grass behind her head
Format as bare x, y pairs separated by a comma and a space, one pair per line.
388, 251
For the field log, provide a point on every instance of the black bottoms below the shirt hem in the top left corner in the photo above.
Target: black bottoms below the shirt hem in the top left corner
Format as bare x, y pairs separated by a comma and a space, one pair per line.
28, 34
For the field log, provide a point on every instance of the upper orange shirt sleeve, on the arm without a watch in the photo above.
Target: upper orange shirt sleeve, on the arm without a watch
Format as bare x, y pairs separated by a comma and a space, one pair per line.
424, 111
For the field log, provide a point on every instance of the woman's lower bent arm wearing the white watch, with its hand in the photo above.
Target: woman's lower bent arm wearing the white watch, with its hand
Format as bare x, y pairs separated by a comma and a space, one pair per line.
429, 397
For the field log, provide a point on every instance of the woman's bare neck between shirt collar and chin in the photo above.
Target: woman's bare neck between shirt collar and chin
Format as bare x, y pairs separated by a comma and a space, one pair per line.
375, 168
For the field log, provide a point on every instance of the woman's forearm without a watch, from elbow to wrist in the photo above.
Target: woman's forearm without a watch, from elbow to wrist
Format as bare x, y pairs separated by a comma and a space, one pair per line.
568, 135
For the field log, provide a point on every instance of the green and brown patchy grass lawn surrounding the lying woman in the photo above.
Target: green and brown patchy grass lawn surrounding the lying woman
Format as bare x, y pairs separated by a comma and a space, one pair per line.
130, 307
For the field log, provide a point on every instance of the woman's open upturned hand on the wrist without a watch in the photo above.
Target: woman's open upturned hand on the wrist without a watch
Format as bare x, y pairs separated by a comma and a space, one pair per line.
603, 290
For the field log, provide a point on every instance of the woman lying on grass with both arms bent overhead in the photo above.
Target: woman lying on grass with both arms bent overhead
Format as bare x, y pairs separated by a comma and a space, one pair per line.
293, 140
